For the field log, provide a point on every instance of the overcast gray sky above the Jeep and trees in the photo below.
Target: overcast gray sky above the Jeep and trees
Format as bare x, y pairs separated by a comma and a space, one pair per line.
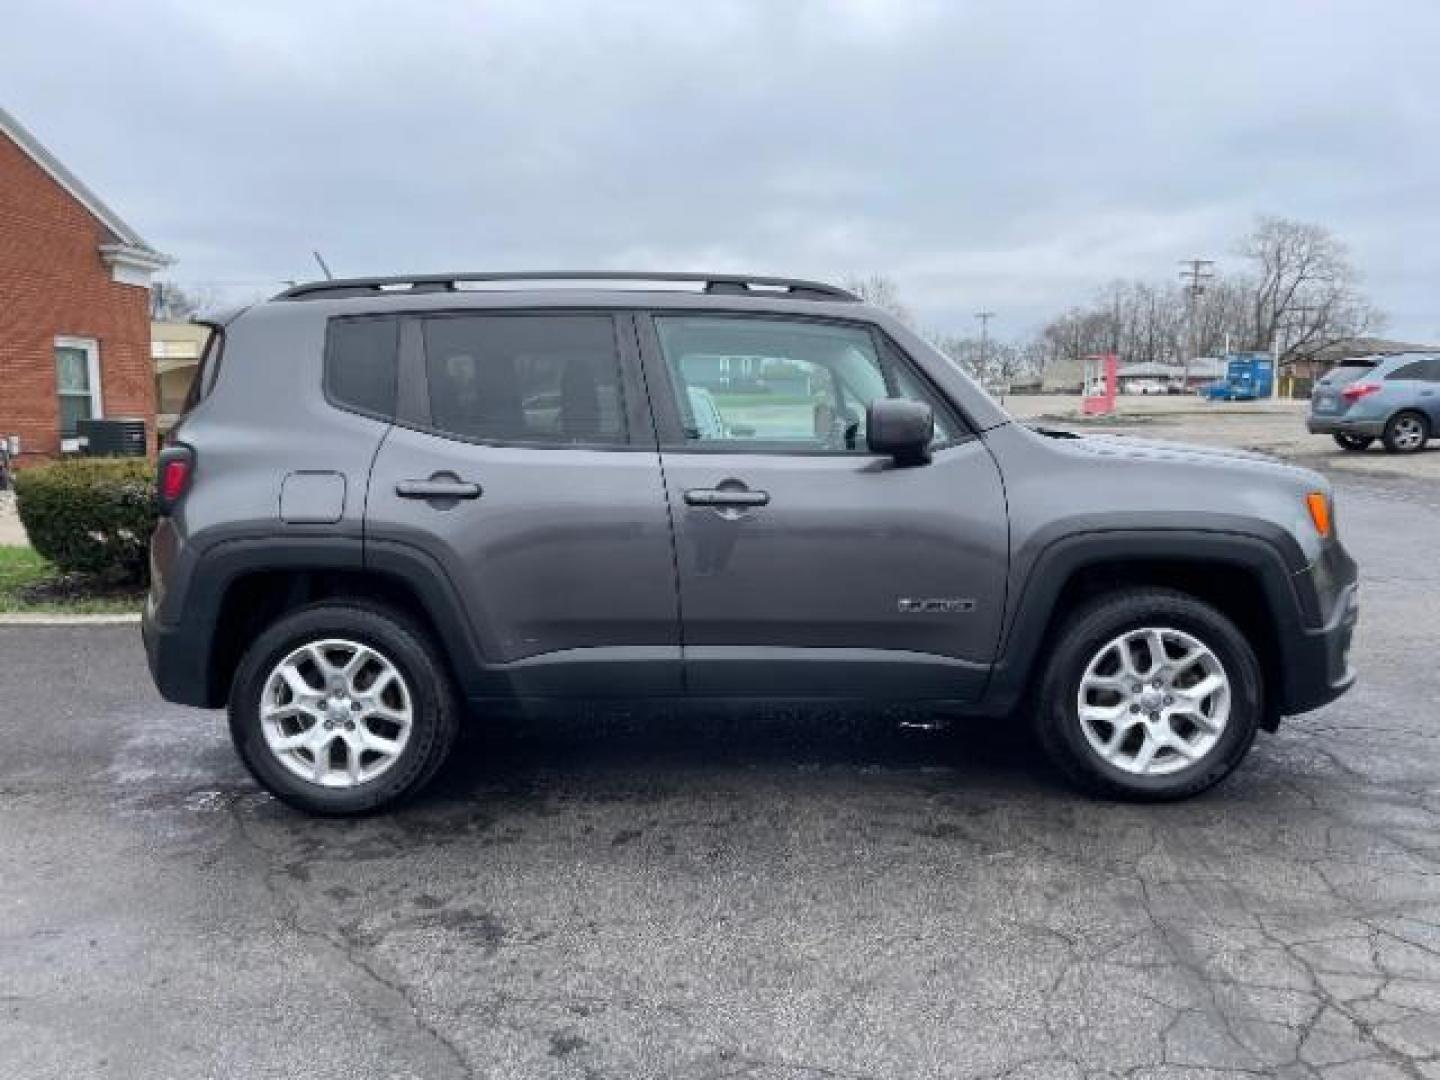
1002, 156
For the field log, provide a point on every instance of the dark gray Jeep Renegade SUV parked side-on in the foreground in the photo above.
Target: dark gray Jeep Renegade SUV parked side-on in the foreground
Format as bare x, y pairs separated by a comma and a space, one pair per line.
397, 502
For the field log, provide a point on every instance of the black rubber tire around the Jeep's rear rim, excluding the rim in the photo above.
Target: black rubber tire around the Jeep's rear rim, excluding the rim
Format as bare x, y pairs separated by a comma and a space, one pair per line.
434, 703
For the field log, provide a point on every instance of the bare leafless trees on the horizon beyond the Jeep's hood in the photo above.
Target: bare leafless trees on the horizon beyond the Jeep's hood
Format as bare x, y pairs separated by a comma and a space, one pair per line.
1295, 293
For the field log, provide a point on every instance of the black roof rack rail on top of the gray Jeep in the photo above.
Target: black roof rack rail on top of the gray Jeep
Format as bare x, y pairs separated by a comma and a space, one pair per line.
408, 286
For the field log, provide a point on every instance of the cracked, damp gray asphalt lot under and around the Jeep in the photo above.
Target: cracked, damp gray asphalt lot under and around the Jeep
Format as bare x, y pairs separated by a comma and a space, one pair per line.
773, 898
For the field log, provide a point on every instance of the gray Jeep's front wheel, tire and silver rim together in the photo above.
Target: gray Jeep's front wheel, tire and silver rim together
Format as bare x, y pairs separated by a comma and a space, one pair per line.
1150, 696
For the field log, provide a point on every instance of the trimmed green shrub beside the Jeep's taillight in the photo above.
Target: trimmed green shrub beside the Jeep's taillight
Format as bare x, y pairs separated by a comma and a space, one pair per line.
91, 516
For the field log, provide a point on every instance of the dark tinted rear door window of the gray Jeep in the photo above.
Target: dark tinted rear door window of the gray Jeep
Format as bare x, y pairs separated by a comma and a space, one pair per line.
526, 378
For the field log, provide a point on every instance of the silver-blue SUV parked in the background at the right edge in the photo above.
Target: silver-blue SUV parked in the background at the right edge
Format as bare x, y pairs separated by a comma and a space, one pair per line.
1392, 398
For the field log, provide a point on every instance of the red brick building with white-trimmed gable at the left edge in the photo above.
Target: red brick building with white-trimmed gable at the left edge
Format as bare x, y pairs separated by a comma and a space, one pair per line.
74, 305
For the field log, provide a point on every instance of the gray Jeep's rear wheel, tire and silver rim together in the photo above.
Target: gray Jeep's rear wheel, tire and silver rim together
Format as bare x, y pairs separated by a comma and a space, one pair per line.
342, 709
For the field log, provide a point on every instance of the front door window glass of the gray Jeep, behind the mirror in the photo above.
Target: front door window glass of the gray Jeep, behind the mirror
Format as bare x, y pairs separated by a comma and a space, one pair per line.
783, 385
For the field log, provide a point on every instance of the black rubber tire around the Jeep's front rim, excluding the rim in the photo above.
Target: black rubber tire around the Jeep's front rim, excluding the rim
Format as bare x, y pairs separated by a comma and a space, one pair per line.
1085, 634
